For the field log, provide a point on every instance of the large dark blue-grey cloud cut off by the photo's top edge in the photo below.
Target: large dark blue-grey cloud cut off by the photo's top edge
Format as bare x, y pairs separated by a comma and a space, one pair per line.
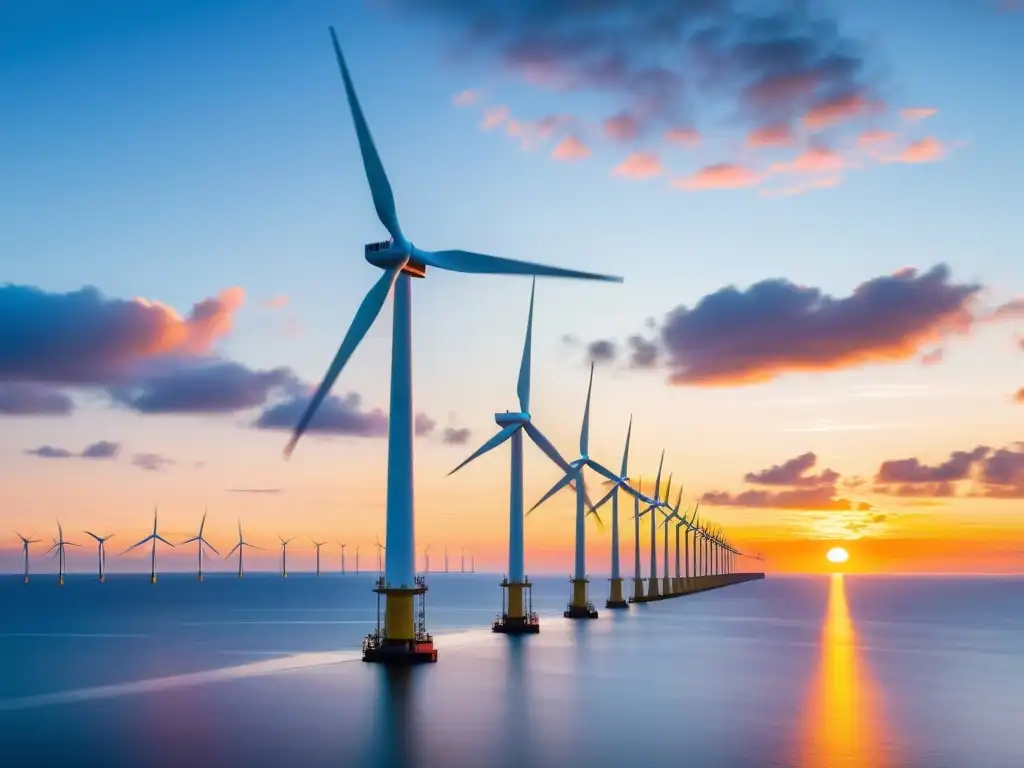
775, 63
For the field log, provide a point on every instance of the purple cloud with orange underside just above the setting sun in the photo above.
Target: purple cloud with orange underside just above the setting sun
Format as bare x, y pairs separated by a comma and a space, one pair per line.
800, 491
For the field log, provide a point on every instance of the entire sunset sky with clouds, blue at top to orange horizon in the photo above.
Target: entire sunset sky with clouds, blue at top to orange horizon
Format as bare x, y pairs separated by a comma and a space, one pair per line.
815, 207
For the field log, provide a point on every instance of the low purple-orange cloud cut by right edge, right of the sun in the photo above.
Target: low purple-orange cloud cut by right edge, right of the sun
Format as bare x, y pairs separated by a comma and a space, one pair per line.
992, 474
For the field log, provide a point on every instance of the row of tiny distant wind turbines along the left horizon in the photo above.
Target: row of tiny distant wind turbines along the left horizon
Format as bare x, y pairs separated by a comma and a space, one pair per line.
202, 544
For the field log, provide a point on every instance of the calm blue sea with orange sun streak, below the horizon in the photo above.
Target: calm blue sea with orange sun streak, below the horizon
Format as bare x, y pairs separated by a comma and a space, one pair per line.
858, 672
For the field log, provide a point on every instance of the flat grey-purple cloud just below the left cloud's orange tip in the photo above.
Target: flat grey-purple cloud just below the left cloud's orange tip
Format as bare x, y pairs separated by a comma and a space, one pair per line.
202, 387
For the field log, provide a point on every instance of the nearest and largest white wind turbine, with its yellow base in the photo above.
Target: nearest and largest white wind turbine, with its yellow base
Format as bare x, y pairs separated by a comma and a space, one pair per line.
402, 262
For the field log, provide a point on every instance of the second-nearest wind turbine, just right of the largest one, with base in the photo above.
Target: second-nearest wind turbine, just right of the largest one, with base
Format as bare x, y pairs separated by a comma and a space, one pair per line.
516, 618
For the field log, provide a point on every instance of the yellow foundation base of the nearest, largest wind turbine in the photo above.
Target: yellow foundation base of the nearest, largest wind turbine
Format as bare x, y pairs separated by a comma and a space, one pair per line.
404, 639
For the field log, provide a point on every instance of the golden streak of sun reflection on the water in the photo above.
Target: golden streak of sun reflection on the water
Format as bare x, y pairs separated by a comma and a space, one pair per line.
843, 721
